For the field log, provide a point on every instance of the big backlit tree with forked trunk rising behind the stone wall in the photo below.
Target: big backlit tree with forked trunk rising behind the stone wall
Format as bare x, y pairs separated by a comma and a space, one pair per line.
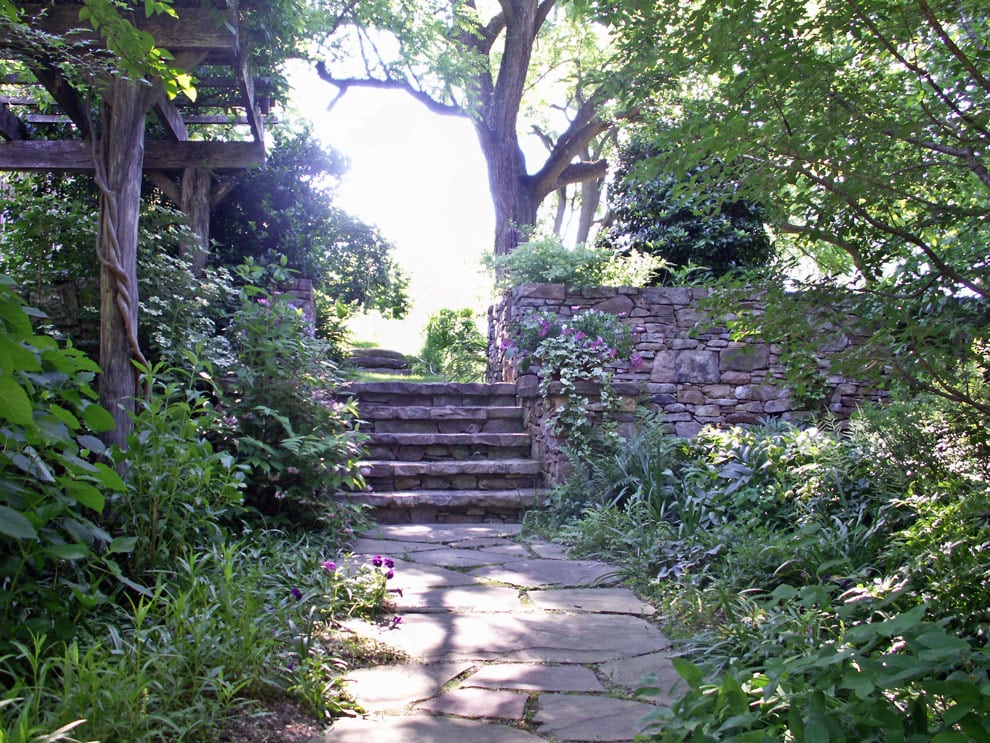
485, 62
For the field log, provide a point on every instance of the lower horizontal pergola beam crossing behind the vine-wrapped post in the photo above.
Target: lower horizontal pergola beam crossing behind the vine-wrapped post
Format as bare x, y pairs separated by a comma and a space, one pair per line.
75, 155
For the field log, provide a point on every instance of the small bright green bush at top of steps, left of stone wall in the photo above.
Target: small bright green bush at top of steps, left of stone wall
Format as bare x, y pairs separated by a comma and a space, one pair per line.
454, 347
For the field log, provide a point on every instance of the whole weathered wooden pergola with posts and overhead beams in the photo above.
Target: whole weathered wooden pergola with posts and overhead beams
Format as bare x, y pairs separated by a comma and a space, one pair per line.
116, 146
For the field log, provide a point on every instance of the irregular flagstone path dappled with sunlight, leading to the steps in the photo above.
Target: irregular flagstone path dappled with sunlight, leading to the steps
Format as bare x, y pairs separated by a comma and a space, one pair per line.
507, 642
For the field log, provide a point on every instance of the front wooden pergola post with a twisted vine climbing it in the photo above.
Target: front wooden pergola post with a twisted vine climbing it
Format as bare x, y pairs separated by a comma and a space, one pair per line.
120, 156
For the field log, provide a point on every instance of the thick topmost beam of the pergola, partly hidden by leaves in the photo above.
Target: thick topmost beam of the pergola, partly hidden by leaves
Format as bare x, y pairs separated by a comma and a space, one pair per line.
196, 28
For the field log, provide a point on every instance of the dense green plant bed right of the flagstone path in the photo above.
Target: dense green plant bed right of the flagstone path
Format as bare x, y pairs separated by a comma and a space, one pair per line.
823, 584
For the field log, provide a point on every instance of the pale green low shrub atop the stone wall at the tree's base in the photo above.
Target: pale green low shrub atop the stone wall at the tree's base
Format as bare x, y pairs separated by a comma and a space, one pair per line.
548, 261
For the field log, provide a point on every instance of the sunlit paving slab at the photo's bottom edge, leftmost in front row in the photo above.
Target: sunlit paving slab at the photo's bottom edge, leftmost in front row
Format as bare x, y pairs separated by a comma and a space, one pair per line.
422, 729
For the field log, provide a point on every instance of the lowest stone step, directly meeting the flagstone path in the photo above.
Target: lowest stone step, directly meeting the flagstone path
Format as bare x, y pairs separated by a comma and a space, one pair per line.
448, 506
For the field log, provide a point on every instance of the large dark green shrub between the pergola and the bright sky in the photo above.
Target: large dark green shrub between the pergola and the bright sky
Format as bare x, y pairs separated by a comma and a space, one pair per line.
286, 208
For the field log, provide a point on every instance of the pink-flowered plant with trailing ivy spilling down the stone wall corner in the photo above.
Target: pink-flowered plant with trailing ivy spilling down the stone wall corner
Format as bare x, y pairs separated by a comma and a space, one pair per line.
564, 352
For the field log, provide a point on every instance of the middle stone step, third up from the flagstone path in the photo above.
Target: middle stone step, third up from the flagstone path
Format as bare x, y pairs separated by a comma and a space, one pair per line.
459, 446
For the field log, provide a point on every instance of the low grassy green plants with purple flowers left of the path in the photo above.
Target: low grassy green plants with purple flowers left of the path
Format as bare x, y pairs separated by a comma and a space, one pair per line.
231, 622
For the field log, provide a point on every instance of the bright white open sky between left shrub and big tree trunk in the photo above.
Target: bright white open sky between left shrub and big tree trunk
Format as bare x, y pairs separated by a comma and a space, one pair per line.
421, 179
